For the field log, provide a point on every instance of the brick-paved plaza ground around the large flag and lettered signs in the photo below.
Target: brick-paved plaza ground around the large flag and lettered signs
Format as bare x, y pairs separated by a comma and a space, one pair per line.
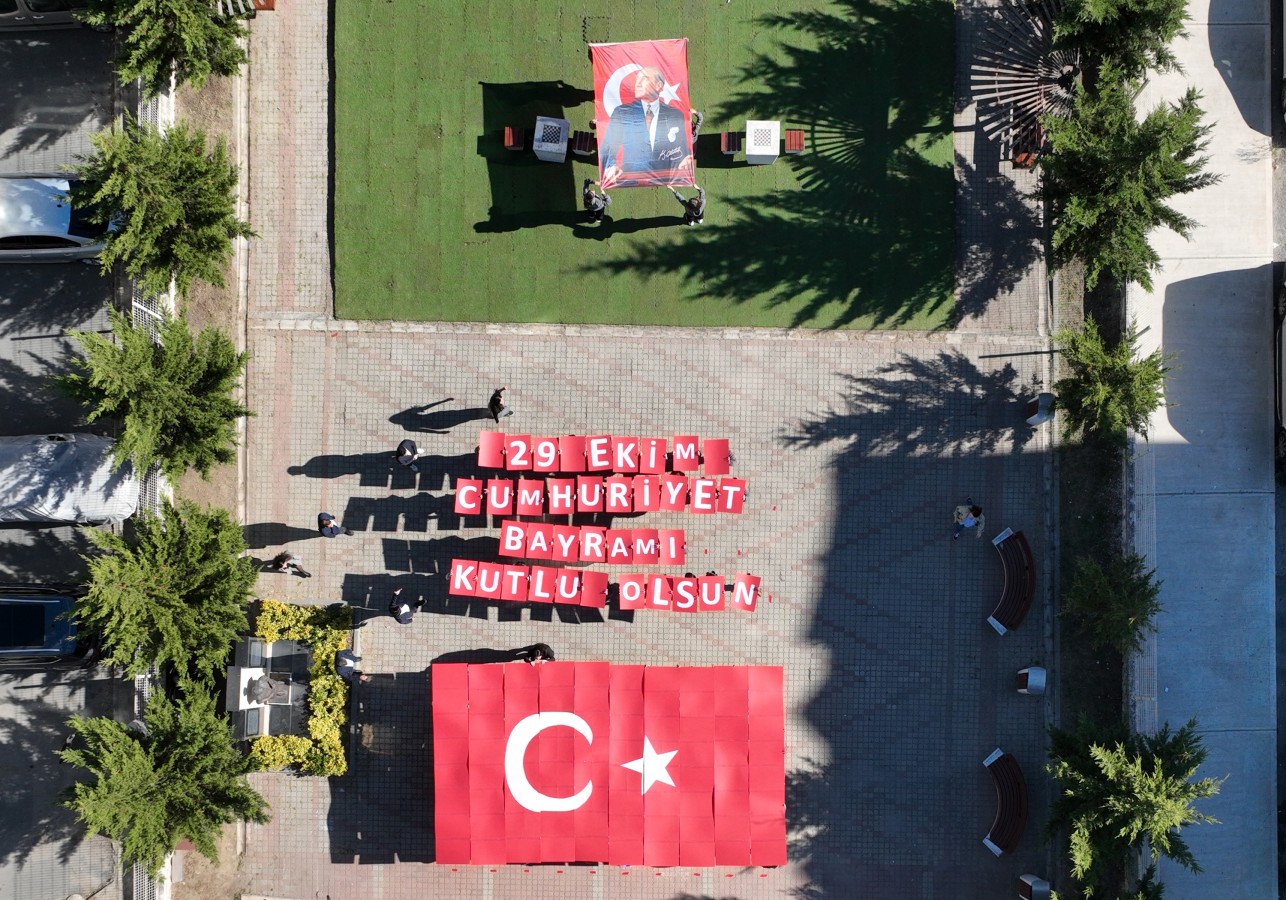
856, 447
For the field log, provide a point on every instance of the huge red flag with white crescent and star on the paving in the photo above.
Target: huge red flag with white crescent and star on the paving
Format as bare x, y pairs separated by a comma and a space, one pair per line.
588, 762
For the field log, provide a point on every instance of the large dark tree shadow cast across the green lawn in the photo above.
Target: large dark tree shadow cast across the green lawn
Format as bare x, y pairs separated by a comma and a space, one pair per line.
870, 232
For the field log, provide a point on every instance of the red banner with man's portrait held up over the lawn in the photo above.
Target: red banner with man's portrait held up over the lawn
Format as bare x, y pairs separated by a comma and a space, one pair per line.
644, 114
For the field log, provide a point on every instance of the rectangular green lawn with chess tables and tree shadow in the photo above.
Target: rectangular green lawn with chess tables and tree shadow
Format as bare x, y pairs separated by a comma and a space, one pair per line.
435, 220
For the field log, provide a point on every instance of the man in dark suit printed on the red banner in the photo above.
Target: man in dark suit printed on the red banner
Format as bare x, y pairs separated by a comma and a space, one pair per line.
649, 136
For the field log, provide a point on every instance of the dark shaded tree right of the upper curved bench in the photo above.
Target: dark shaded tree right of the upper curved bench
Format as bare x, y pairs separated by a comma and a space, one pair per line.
1116, 605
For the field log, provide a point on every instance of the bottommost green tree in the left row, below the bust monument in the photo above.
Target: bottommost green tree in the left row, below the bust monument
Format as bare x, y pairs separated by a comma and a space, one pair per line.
181, 778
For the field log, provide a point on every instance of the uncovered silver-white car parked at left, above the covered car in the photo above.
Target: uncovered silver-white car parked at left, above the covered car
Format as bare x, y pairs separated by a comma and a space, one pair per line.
38, 223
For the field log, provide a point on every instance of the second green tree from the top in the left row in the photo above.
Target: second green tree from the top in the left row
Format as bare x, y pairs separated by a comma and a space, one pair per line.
172, 204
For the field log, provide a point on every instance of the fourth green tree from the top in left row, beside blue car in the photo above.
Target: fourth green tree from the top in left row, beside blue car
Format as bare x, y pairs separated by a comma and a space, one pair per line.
173, 596
